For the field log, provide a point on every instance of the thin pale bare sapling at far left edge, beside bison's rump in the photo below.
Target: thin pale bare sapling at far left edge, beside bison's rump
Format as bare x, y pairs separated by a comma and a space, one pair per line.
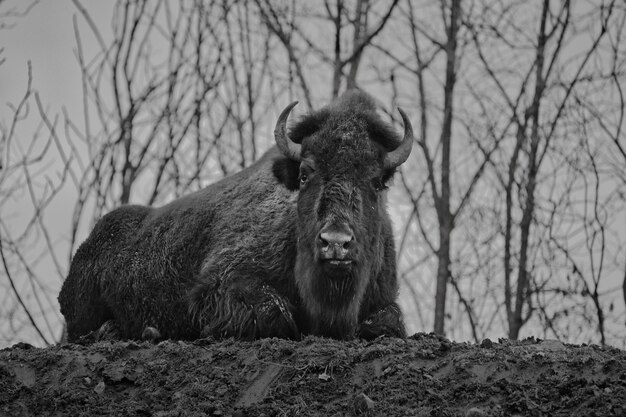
27, 301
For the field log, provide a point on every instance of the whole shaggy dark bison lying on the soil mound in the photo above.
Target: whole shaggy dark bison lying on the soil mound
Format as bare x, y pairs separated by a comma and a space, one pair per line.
298, 243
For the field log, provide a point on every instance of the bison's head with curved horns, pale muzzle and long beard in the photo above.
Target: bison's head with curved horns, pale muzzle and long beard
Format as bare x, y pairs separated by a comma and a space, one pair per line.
340, 160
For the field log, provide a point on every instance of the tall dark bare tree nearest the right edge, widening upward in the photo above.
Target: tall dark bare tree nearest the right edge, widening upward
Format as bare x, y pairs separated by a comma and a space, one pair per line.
540, 110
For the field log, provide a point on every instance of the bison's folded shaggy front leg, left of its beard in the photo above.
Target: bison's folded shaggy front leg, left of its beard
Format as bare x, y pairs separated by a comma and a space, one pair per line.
244, 310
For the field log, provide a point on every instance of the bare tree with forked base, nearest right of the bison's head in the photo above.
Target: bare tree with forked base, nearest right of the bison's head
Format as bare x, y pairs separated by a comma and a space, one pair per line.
435, 50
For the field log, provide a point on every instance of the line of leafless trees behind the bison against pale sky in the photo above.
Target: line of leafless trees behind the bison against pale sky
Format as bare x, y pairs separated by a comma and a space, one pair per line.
509, 215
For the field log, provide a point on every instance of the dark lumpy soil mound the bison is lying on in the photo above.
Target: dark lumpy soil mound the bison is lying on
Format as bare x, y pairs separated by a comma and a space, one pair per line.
424, 375
